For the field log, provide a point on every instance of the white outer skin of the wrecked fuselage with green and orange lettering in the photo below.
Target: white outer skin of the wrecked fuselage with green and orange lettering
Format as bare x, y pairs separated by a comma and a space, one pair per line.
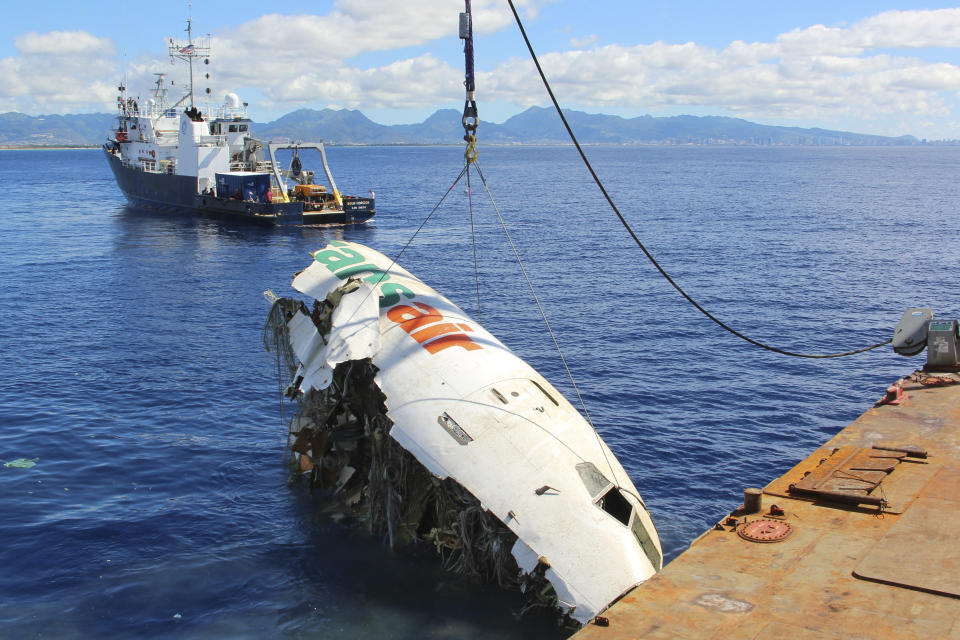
467, 408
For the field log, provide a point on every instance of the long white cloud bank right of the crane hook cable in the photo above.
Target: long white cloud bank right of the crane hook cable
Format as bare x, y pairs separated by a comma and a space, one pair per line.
817, 72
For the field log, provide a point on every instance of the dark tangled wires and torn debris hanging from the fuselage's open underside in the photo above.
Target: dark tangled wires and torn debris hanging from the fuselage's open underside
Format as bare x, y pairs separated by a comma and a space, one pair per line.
339, 444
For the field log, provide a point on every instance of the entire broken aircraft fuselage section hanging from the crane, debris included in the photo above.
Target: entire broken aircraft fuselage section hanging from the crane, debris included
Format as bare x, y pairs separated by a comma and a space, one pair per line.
421, 422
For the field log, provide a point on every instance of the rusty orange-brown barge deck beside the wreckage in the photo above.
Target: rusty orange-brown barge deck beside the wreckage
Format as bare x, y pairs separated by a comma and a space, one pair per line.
866, 546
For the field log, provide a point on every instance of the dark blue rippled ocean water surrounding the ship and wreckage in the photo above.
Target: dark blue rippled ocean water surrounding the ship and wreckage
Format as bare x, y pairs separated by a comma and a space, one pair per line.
133, 369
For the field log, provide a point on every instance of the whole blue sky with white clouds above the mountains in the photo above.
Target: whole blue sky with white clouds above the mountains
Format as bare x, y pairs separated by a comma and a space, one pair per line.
890, 68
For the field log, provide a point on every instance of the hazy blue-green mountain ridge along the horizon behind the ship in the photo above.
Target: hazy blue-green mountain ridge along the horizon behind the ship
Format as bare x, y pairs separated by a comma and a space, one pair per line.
535, 125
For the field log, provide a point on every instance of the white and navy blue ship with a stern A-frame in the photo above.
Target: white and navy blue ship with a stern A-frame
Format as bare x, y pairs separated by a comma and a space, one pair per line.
179, 157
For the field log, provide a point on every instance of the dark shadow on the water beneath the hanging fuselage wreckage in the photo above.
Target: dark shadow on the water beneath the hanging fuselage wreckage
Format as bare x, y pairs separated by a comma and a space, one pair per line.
382, 593
